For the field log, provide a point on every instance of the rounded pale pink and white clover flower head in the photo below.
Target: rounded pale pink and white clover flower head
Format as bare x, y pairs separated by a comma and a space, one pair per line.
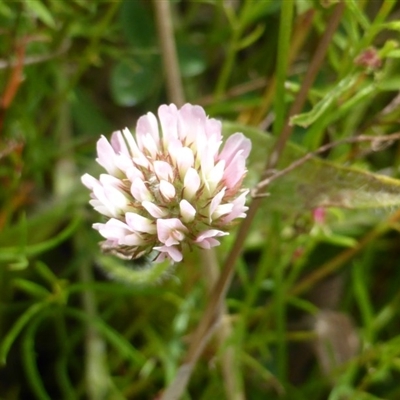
169, 187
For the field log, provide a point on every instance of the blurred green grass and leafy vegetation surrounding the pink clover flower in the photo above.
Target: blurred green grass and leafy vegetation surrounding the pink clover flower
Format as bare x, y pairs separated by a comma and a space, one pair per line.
312, 311
